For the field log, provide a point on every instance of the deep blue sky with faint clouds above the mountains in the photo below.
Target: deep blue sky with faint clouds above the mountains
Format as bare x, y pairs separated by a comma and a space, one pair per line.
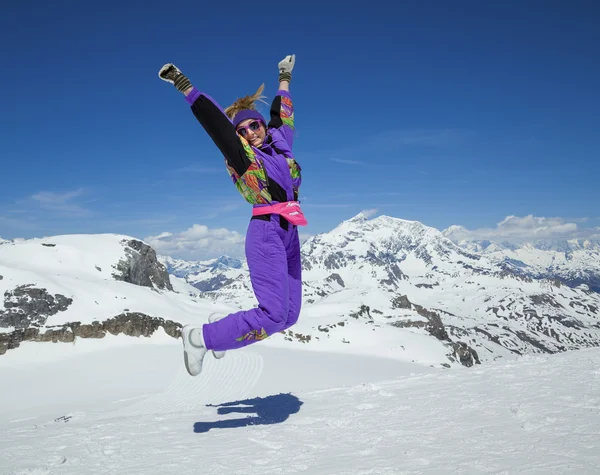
449, 113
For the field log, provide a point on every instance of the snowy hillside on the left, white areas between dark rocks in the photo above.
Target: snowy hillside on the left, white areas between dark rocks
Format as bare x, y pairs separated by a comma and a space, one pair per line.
82, 269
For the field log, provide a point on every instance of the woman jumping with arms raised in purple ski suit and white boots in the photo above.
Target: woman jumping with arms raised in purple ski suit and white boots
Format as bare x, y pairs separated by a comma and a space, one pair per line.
258, 157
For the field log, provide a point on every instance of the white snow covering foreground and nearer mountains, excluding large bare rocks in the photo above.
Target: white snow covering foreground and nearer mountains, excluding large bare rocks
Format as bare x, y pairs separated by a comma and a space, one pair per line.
362, 396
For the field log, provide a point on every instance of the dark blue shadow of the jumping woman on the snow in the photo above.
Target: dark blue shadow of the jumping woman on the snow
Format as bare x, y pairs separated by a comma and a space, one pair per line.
265, 410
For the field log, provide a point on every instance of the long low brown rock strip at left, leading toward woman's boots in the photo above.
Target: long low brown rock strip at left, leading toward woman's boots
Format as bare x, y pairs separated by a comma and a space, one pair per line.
129, 323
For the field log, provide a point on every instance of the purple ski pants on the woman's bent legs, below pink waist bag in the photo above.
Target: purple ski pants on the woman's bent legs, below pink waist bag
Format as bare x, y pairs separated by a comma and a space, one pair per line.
273, 256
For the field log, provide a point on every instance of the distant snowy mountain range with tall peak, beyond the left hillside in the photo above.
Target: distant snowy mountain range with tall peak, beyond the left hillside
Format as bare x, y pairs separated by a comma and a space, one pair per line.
479, 301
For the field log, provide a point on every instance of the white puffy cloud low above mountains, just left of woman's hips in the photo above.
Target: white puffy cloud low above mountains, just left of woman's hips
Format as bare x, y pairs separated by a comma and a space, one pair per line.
198, 242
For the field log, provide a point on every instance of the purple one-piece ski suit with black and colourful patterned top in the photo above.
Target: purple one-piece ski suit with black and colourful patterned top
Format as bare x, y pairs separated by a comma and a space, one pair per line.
264, 176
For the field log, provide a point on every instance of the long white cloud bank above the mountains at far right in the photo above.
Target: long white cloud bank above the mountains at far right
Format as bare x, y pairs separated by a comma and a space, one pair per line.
515, 228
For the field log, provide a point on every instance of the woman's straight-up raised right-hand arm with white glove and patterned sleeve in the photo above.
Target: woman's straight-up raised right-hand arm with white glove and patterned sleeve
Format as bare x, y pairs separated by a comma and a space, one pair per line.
282, 108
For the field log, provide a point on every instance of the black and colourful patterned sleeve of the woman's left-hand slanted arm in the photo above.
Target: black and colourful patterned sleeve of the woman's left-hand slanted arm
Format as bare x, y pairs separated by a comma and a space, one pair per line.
248, 173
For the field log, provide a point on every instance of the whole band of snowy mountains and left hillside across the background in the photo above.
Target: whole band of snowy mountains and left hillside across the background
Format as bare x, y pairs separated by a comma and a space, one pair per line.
384, 286
